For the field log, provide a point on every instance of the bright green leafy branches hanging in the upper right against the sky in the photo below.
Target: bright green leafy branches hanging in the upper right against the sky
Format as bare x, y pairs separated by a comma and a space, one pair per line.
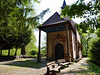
90, 11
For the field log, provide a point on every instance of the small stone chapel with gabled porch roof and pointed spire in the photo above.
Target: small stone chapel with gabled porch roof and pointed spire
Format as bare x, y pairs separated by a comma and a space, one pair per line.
63, 39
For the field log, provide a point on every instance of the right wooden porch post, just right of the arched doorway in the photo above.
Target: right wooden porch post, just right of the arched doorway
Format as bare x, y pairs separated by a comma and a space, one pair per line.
67, 38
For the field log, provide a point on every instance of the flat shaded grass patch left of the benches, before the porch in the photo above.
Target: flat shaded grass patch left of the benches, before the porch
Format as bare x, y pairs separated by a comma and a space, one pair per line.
26, 63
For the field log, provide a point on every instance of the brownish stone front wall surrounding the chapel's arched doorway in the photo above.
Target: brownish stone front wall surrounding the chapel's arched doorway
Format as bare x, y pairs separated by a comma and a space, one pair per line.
55, 38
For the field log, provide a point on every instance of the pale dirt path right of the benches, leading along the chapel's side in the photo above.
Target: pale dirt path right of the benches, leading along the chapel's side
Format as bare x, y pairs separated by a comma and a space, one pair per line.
78, 68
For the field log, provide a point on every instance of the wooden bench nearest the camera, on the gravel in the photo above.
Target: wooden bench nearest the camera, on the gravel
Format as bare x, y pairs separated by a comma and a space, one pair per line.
52, 67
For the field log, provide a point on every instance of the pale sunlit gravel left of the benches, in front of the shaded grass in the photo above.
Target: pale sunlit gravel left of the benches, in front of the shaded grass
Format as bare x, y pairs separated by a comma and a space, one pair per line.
24, 71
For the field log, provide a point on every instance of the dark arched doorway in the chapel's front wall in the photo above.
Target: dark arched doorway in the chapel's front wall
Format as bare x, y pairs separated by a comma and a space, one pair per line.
59, 51
